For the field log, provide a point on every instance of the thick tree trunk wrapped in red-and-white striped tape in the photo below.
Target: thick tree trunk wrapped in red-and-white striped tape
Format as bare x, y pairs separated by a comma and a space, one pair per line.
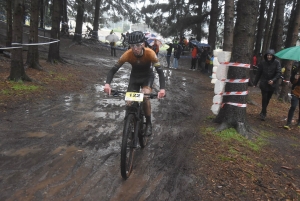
244, 34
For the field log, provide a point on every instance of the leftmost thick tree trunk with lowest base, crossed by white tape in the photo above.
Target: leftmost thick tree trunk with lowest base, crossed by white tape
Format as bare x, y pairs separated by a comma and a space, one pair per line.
17, 71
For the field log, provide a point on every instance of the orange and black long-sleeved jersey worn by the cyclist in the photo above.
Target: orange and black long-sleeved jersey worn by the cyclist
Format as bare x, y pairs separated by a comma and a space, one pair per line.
142, 71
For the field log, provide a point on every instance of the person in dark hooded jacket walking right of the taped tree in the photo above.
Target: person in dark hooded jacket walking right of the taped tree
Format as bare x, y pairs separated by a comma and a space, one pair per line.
269, 71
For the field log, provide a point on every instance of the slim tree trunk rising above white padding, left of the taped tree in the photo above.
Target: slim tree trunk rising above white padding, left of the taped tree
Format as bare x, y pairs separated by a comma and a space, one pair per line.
228, 25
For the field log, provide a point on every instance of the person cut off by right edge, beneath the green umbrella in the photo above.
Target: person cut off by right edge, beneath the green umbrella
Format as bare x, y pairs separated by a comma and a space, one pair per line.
295, 80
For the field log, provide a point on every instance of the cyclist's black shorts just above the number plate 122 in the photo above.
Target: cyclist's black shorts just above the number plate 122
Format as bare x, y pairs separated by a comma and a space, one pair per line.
136, 83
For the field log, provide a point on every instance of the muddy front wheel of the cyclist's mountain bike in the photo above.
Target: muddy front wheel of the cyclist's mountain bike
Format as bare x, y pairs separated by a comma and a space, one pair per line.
127, 149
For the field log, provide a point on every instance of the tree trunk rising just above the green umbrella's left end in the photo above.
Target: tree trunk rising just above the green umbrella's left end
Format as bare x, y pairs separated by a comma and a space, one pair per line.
276, 42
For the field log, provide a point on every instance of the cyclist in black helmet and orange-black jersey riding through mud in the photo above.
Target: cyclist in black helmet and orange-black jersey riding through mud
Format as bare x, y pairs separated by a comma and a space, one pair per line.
142, 61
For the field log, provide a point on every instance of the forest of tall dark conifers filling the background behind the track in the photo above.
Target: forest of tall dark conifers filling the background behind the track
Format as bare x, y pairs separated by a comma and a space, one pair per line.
243, 27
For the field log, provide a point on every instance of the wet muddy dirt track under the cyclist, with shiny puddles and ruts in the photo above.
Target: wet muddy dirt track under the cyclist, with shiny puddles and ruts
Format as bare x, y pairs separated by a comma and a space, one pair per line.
69, 148
